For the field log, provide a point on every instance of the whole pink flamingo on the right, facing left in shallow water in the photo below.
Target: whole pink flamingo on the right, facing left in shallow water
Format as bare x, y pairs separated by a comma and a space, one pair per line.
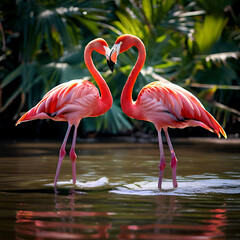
164, 104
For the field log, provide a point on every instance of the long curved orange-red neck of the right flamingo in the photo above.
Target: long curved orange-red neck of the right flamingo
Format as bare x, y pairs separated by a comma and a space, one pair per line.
129, 107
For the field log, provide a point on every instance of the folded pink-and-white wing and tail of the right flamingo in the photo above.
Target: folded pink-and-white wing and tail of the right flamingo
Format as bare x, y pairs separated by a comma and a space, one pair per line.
169, 105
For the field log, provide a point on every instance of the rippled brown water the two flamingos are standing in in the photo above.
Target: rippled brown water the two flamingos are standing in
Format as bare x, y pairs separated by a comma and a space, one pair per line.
116, 195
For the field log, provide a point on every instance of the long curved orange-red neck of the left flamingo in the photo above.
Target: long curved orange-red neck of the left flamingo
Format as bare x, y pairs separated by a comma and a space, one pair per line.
106, 96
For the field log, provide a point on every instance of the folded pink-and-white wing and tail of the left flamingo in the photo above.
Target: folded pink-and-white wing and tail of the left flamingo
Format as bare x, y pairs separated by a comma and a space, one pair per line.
74, 99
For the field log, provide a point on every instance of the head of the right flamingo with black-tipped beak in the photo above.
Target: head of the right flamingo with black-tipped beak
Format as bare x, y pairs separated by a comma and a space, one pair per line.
122, 44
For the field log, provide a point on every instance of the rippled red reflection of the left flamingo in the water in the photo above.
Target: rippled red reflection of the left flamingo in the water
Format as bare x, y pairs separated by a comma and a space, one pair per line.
62, 223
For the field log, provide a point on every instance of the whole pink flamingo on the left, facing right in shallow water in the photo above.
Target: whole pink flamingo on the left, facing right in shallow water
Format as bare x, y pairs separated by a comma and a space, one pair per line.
71, 101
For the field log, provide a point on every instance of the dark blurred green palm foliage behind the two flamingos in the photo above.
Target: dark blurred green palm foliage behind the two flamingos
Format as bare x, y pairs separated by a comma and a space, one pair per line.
194, 44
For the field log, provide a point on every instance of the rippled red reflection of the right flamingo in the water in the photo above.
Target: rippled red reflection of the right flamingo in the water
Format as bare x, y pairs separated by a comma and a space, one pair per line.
211, 228
